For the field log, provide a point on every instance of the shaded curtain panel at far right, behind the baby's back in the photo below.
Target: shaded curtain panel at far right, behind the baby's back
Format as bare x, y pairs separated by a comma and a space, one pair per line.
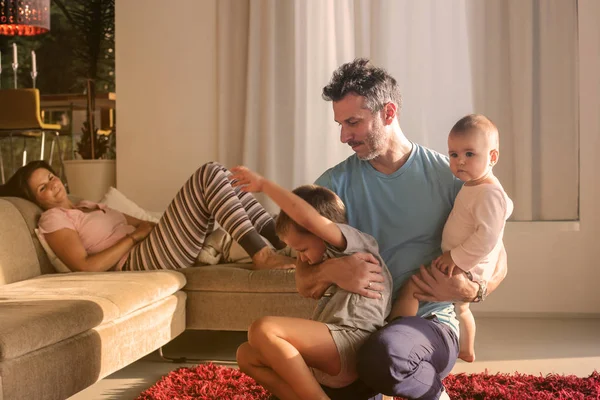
524, 57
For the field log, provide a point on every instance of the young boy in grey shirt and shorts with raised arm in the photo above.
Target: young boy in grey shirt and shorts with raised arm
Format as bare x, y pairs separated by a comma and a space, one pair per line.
291, 356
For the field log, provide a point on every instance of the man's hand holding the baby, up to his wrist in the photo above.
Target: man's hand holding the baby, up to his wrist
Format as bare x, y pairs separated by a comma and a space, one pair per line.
436, 286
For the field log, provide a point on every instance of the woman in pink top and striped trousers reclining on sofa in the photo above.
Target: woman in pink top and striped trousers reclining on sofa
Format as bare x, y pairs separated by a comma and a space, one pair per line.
92, 237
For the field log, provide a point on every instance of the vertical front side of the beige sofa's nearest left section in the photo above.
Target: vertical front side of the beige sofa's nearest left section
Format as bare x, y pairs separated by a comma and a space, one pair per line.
60, 370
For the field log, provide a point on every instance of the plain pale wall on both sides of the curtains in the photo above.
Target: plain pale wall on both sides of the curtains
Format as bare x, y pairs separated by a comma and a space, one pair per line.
167, 120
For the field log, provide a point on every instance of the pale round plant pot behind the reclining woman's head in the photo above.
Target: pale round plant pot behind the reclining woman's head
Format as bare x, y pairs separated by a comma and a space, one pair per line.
90, 179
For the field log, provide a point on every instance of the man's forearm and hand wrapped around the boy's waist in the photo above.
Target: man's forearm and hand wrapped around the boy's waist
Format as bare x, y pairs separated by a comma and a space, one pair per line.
352, 273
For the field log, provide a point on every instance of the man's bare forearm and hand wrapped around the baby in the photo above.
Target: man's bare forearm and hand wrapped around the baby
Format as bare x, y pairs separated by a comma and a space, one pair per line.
437, 286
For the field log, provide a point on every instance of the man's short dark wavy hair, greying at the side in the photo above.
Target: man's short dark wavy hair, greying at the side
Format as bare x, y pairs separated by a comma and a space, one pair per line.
362, 78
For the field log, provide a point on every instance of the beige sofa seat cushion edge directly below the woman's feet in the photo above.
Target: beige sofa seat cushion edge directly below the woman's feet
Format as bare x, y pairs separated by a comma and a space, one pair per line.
239, 278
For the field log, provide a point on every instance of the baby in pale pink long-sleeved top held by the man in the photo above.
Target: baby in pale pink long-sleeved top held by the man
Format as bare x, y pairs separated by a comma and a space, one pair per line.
472, 236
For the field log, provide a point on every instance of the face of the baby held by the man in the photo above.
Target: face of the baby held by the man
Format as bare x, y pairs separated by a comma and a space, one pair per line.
470, 155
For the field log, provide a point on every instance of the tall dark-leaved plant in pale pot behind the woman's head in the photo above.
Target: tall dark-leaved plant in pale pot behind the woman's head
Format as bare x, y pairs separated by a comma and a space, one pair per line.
93, 171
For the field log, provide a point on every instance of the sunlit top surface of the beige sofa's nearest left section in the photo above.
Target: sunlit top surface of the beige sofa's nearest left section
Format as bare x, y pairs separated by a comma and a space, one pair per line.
50, 308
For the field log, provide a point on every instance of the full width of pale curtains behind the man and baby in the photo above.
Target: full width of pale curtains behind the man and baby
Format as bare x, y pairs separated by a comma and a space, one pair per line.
513, 60
